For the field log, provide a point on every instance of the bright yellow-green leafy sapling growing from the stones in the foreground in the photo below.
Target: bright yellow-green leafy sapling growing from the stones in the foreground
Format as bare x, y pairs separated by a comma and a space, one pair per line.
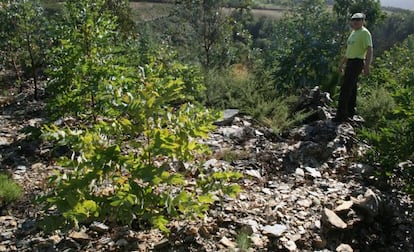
118, 166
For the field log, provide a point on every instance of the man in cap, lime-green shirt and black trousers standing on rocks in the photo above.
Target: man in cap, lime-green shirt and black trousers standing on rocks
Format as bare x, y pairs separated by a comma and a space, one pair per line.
358, 57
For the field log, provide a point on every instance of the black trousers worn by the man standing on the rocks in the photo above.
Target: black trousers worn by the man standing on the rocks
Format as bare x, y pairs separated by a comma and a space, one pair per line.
347, 97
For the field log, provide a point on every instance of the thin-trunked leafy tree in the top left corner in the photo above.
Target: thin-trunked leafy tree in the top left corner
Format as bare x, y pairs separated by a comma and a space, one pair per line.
23, 38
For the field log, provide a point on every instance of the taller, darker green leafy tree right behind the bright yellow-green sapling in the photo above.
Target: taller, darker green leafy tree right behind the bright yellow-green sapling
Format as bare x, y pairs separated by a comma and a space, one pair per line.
89, 64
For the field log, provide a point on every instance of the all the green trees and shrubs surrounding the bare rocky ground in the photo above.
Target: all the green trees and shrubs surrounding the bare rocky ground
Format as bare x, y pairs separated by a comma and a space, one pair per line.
135, 84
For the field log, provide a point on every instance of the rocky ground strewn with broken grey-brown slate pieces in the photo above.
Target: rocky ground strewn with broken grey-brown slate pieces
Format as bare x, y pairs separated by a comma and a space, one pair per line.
303, 190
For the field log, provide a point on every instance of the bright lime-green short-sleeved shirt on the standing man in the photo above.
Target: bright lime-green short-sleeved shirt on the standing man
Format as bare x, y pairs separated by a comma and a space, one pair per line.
358, 43
